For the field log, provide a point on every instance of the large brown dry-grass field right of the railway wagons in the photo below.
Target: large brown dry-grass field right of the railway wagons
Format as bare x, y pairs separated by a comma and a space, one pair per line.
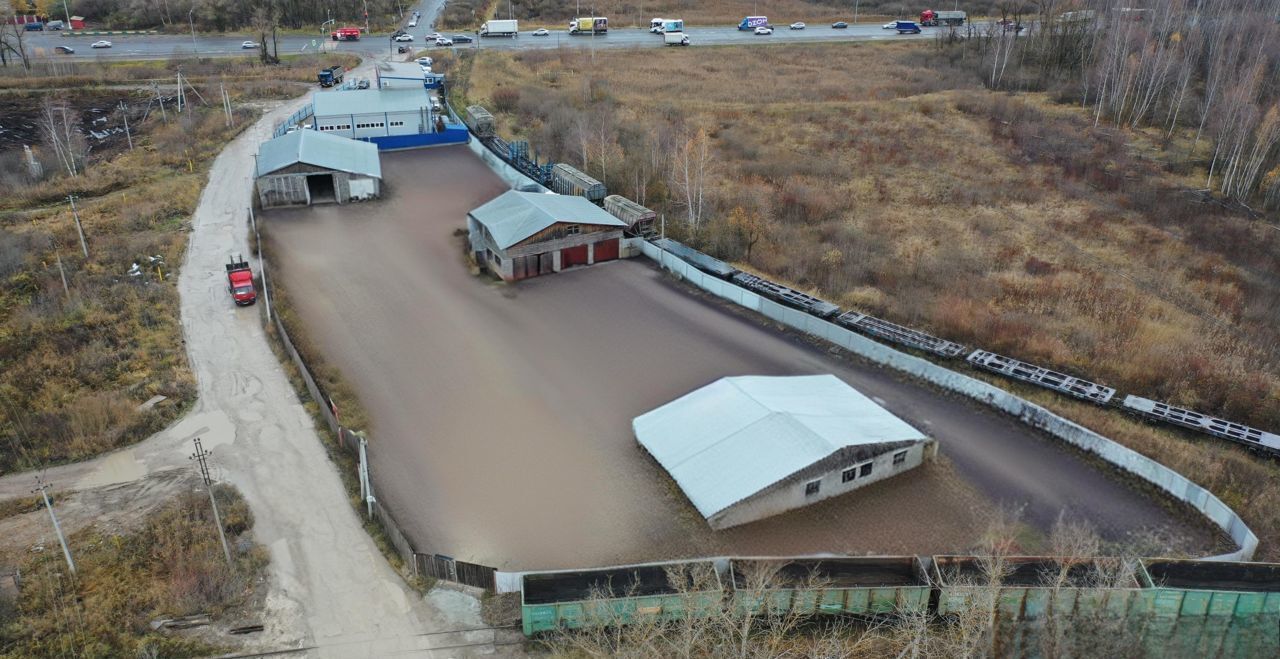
886, 181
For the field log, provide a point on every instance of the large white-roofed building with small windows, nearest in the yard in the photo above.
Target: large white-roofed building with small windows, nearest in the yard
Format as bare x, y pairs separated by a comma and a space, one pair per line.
748, 449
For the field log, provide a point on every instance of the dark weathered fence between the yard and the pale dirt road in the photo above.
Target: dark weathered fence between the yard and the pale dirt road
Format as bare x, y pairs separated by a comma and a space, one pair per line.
436, 566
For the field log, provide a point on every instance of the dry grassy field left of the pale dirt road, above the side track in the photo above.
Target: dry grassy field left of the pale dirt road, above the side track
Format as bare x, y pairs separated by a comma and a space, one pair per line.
76, 363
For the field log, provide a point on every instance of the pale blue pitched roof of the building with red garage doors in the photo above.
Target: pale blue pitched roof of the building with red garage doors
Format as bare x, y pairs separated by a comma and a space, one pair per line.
516, 216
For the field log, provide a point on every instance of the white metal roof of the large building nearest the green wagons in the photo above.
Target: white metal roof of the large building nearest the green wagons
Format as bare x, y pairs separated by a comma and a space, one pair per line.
739, 436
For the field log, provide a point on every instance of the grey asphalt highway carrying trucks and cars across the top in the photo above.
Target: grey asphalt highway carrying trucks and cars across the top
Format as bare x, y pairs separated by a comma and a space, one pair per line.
163, 47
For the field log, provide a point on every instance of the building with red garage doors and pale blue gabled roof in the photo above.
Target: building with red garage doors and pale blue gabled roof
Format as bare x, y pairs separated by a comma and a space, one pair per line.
523, 235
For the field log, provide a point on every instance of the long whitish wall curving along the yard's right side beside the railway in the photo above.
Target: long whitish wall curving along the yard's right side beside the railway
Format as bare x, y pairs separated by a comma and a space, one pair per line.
1031, 414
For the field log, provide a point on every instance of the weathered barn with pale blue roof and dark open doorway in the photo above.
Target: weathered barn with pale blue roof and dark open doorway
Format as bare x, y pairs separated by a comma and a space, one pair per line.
308, 167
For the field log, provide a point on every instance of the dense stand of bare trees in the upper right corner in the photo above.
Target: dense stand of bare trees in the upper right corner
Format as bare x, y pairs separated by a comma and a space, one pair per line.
1204, 72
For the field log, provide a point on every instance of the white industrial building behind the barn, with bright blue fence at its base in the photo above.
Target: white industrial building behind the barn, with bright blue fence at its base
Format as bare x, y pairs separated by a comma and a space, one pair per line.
391, 118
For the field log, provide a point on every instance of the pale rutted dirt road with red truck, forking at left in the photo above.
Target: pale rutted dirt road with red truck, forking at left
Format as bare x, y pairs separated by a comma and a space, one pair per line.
331, 589
